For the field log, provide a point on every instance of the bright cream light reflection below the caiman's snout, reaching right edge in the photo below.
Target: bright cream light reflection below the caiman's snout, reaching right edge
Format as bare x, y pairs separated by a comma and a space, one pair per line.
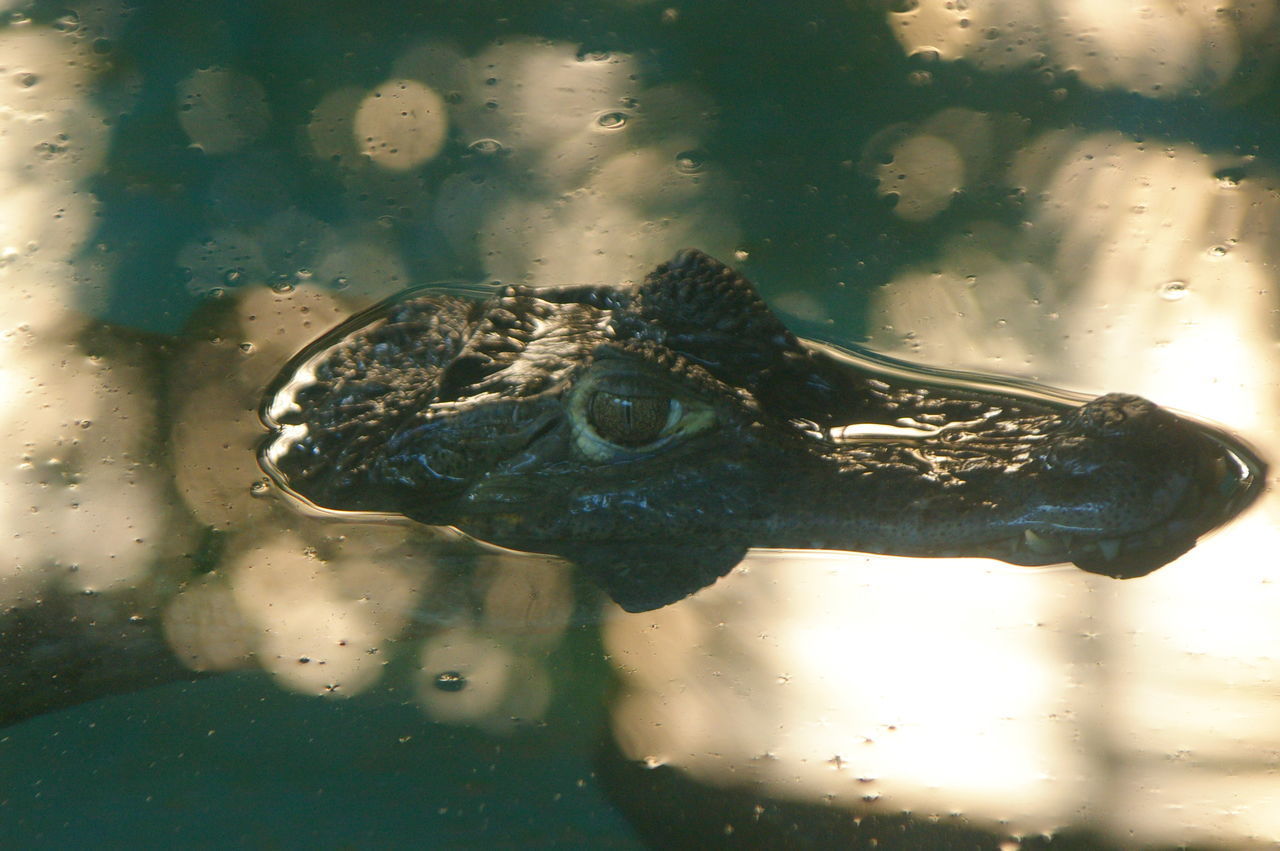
1027, 702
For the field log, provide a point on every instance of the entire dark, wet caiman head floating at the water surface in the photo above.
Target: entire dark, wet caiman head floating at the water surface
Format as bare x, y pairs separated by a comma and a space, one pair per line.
653, 433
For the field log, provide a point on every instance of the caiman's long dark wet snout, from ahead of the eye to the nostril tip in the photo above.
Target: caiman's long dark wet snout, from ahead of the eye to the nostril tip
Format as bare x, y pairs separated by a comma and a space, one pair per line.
1118, 487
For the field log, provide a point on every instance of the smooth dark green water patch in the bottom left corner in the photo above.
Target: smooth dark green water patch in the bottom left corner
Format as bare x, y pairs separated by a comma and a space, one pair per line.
235, 762
